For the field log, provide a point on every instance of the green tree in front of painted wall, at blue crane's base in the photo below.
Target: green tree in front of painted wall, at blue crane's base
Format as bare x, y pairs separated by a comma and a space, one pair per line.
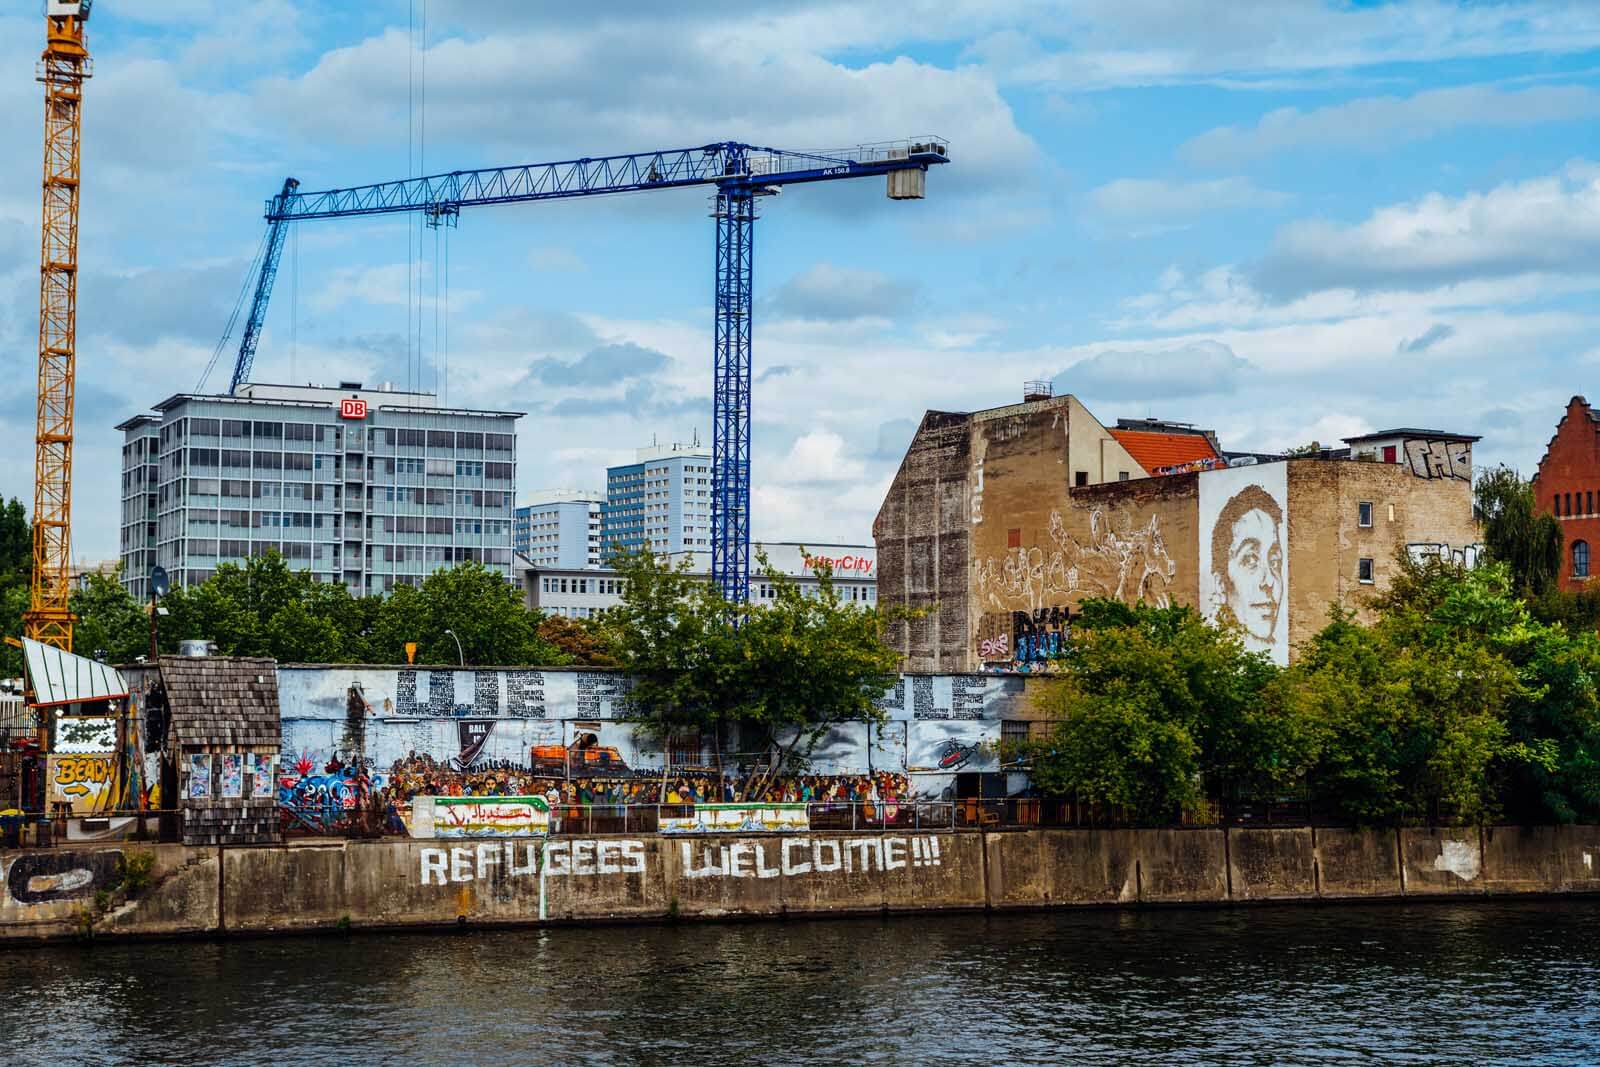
786, 669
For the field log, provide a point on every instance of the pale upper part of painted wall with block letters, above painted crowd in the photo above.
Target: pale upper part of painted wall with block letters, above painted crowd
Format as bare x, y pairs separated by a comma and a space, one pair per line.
495, 717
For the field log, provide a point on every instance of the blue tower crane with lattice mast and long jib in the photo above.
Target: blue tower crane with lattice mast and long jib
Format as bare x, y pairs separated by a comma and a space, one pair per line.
742, 174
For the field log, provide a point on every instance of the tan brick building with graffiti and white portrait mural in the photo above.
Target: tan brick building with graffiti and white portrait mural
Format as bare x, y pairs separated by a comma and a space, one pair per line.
1001, 524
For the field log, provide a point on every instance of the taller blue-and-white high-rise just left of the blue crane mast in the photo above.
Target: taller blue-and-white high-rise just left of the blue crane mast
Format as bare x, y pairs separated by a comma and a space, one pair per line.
662, 500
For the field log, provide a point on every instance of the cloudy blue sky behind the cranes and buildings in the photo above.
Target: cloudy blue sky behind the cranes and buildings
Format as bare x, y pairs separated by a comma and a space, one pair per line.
1281, 220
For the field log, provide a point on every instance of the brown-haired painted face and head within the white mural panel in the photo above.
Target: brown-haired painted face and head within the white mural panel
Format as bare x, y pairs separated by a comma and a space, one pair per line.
1247, 565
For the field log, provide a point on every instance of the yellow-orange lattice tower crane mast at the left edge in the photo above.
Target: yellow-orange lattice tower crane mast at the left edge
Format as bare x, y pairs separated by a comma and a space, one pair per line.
63, 70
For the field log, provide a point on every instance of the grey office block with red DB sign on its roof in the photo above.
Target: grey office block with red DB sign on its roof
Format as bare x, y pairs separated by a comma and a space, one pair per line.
367, 487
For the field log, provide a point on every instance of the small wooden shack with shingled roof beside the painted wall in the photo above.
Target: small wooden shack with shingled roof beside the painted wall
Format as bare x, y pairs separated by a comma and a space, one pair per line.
223, 743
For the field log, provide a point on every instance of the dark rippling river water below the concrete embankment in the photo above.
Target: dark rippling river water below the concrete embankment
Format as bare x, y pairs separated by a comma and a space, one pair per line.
1486, 983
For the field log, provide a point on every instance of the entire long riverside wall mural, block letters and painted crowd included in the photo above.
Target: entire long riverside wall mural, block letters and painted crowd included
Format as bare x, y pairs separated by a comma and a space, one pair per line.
361, 745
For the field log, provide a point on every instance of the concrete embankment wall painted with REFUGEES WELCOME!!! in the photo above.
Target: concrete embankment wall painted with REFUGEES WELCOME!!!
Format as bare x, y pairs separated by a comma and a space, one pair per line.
393, 884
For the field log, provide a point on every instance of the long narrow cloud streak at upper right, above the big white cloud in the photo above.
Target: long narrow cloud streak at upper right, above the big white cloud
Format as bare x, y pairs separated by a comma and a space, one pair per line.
1377, 122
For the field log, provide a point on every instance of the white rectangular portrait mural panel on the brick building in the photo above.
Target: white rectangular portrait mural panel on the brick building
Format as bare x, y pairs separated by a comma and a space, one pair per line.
1244, 554
